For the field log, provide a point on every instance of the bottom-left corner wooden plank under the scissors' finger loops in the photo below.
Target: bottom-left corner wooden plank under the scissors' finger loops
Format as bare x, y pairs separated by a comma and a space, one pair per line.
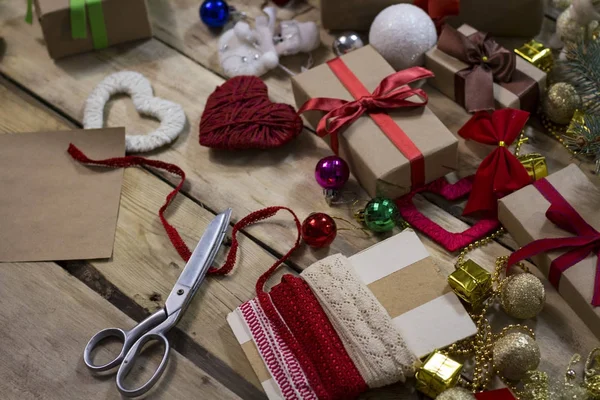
46, 319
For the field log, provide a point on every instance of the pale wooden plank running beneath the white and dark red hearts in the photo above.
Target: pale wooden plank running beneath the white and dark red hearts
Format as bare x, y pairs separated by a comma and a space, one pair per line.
243, 180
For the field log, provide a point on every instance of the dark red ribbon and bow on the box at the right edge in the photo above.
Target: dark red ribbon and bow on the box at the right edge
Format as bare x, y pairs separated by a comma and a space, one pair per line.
586, 241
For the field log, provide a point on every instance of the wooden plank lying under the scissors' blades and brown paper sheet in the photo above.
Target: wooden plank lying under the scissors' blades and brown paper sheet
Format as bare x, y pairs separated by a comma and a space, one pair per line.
145, 265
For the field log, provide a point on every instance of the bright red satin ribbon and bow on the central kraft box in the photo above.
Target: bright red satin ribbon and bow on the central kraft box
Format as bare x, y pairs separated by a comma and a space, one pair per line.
393, 92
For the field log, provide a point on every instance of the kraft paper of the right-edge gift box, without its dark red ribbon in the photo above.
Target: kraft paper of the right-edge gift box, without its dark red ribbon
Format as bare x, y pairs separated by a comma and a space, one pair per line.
523, 214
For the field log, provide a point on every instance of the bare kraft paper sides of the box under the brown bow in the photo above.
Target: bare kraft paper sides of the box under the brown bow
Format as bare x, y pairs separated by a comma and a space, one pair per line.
523, 92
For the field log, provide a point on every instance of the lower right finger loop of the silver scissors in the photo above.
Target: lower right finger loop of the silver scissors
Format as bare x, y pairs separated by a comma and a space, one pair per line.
156, 334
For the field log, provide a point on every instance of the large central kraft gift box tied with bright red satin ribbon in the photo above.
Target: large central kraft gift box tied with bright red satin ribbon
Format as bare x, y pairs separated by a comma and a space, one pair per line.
379, 125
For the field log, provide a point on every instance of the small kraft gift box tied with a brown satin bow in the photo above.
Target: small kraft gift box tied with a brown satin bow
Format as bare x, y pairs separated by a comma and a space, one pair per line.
479, 74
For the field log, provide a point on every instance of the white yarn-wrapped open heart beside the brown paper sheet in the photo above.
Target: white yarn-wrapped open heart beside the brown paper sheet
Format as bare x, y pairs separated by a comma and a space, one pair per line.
170, 115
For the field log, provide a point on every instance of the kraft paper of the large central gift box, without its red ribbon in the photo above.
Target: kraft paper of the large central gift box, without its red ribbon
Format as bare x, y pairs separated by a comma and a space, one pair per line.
380, 167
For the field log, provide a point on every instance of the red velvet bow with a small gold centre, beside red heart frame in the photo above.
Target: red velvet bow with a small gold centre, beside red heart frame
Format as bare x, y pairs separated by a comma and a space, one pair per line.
500, 173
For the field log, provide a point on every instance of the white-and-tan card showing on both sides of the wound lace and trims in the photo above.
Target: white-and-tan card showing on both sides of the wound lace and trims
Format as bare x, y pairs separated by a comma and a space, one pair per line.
404, 278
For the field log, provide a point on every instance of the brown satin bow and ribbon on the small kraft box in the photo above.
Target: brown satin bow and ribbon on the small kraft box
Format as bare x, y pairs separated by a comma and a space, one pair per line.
488, 62
